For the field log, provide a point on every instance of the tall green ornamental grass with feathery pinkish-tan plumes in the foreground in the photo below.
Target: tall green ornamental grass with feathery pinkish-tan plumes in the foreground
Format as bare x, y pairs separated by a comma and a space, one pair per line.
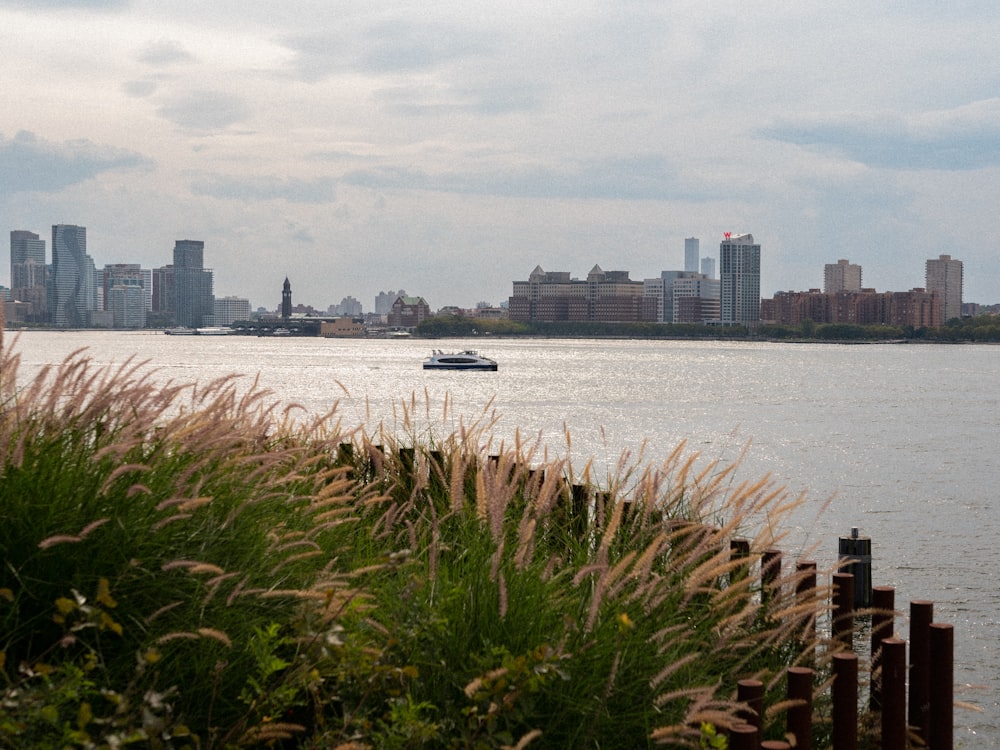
190, 566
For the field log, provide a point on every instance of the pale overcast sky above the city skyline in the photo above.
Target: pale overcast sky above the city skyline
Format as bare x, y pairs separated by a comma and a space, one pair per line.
447, 148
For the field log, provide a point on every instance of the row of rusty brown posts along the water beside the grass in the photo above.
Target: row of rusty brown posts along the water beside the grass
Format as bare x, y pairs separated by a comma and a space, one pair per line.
922, 713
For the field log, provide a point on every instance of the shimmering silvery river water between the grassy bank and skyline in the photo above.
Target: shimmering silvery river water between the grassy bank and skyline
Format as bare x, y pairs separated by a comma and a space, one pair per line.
897, 440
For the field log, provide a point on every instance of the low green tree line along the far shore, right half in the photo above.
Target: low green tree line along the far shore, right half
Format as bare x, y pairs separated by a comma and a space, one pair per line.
981, 328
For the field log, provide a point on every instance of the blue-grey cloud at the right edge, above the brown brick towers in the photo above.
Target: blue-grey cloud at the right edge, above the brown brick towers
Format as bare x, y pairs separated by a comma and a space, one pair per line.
962, 138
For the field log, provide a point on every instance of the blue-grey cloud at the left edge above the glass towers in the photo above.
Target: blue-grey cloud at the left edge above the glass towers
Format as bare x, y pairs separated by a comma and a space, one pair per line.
30, 164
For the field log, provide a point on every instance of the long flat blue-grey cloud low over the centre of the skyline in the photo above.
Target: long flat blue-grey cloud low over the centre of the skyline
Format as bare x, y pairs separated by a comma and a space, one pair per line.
641, 177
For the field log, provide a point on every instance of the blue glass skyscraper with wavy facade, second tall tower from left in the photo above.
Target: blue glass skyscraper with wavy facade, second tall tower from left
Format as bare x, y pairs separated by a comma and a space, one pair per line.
73, 290
